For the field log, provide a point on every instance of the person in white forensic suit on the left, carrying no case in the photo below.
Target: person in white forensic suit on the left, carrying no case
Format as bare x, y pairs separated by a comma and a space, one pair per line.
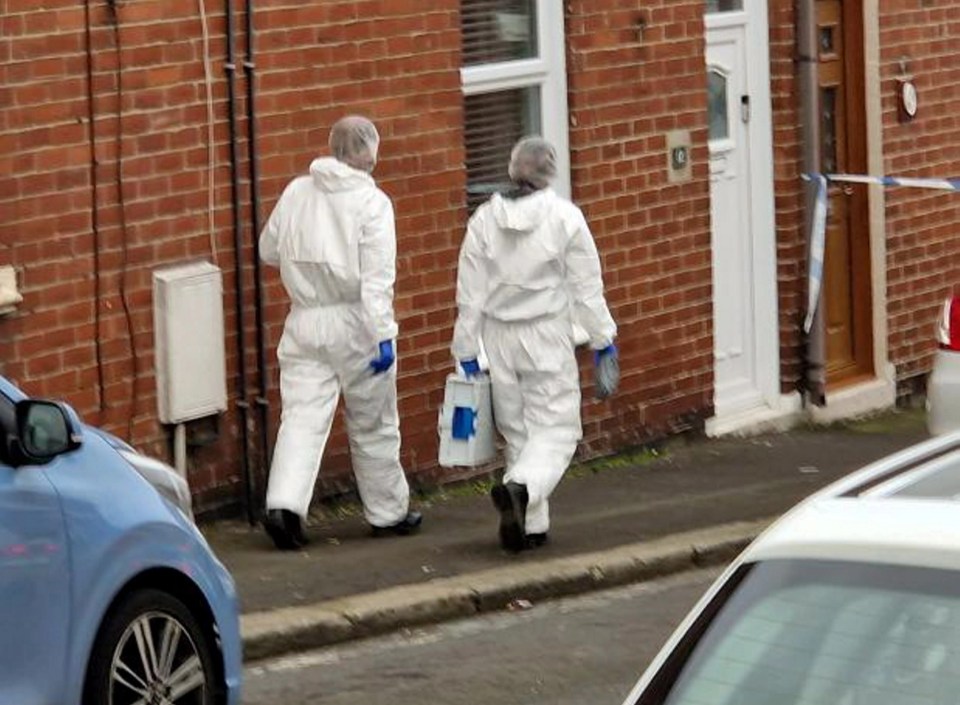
332, 235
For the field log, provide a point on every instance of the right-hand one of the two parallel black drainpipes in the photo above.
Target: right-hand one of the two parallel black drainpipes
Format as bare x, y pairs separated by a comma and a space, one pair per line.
263, 405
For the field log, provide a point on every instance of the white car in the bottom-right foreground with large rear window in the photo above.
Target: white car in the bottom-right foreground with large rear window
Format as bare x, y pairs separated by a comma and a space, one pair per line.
851, 598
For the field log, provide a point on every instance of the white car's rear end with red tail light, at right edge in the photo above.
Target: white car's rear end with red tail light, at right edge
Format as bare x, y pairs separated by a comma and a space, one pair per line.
943, 385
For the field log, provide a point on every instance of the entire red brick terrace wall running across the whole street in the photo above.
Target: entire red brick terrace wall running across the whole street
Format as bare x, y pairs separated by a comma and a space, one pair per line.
108, 173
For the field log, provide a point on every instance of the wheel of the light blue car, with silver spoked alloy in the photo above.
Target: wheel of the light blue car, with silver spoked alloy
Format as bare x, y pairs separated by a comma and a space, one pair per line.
151, 649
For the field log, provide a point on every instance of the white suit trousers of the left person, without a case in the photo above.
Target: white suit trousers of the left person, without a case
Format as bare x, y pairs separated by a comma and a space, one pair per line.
312, 377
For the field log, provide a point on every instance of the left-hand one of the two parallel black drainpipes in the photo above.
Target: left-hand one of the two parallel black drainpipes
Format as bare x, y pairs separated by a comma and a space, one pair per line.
242, 404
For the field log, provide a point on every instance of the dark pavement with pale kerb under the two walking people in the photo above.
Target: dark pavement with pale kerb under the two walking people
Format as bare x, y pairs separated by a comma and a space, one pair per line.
692, 502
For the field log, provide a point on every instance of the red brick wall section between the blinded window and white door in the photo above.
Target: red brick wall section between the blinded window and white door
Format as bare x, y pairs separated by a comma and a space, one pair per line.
627, 89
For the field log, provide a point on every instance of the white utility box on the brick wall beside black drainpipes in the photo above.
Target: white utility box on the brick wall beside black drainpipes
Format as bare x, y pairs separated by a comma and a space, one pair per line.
190, 357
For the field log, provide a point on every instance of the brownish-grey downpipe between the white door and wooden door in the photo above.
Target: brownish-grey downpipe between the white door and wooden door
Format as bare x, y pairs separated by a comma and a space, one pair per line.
814, 358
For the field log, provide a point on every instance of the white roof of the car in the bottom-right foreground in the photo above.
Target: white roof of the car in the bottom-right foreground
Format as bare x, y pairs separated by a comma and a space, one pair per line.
903, 509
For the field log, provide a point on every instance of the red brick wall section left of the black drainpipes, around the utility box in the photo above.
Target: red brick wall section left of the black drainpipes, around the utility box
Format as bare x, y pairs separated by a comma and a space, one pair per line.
55, 345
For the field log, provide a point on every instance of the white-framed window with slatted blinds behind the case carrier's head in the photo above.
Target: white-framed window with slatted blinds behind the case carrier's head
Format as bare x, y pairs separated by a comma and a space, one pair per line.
514, 84
